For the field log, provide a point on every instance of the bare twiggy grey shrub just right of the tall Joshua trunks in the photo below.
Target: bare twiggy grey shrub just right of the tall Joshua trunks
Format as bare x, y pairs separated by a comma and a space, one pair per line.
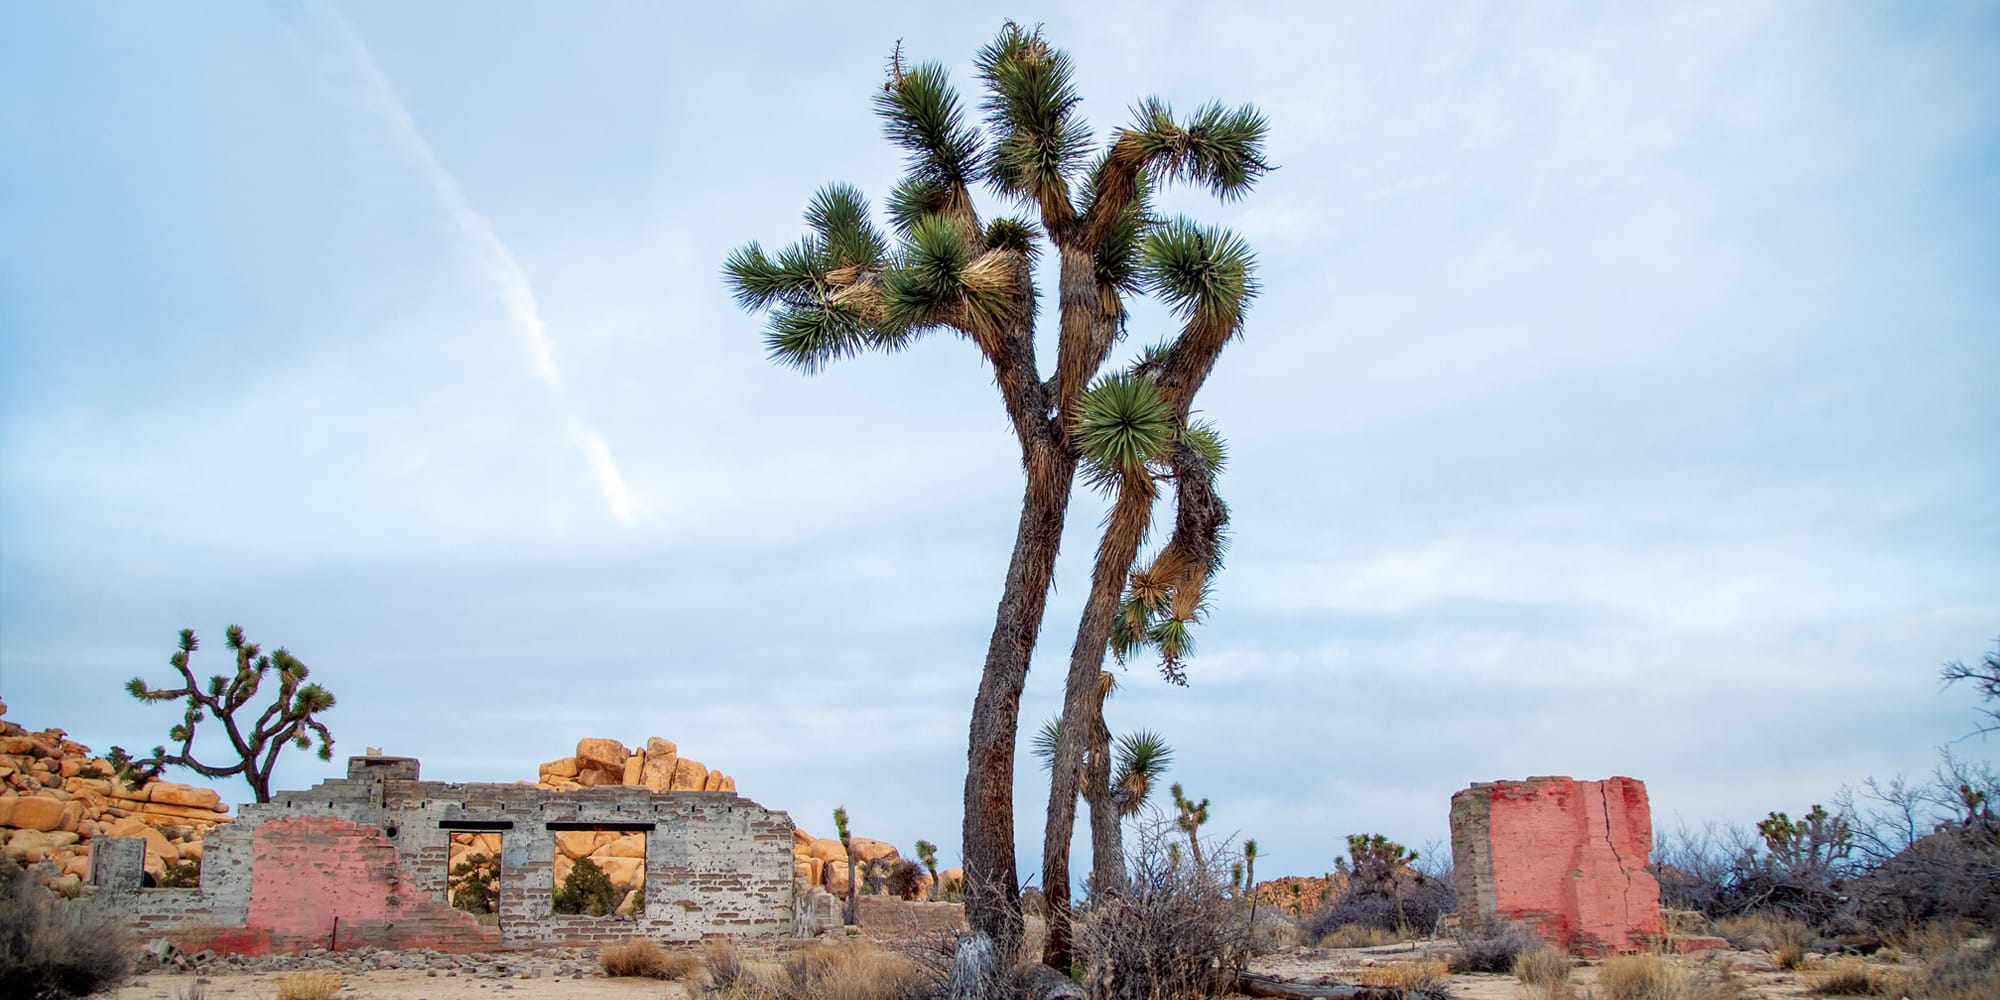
1175, 931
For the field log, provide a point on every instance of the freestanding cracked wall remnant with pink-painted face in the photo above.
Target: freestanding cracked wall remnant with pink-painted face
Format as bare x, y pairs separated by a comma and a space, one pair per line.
1563, 857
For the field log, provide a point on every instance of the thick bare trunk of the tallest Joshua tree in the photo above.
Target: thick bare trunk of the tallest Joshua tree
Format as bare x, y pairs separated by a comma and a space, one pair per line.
993, 885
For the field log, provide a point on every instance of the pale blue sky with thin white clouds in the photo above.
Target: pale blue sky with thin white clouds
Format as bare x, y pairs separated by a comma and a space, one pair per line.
1623, 399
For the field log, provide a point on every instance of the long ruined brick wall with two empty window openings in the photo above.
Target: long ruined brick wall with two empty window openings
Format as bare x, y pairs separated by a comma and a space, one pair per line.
371, 851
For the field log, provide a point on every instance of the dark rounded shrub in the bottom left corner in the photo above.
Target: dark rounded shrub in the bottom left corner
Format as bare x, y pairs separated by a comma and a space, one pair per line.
53, 949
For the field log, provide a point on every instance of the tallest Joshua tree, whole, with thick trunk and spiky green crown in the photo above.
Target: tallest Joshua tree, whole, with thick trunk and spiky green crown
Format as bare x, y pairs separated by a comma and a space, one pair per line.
847, 289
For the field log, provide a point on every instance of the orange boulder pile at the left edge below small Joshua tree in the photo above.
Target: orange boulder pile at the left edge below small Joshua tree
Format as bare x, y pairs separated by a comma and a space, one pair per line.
57, 799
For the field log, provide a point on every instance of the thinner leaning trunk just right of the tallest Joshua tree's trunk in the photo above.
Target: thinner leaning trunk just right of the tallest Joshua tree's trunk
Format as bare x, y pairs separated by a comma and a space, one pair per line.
1083, 707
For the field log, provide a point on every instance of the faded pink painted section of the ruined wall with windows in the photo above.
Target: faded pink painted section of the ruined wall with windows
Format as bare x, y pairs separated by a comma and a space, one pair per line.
313, 869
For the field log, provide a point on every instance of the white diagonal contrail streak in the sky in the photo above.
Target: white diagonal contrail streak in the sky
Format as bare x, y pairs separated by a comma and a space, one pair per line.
495, 261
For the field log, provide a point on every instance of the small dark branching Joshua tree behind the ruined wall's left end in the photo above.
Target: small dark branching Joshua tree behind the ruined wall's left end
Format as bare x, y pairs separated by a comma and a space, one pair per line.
289, 719
